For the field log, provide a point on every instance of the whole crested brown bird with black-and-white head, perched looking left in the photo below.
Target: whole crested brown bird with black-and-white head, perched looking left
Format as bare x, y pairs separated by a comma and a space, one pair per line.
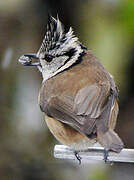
78, 96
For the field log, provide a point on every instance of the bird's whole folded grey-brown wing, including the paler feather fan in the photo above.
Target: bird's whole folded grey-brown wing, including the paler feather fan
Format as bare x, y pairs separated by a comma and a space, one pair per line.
80, 112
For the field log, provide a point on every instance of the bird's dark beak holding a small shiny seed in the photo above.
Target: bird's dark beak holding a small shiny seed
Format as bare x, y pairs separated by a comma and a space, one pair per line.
27, 60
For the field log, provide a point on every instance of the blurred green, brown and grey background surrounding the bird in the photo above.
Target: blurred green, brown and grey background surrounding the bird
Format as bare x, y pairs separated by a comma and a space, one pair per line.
26, 145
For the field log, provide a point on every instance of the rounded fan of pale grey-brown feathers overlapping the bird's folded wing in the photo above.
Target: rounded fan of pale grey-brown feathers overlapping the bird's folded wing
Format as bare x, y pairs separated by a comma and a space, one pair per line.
90, 100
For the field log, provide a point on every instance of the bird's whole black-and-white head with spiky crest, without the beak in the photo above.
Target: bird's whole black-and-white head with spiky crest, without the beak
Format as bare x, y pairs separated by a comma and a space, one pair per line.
59, 49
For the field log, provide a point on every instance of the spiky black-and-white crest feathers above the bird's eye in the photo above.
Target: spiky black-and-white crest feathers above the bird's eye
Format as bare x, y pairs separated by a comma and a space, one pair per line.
57, 42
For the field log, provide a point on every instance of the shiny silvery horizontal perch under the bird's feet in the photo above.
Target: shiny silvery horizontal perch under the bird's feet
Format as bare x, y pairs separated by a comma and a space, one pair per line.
94, 154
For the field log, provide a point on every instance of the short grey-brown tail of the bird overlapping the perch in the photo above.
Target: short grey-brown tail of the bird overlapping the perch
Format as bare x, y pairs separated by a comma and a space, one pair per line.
110, 141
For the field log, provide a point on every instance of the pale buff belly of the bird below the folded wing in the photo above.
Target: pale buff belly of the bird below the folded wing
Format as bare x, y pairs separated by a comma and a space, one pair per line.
67, 135
